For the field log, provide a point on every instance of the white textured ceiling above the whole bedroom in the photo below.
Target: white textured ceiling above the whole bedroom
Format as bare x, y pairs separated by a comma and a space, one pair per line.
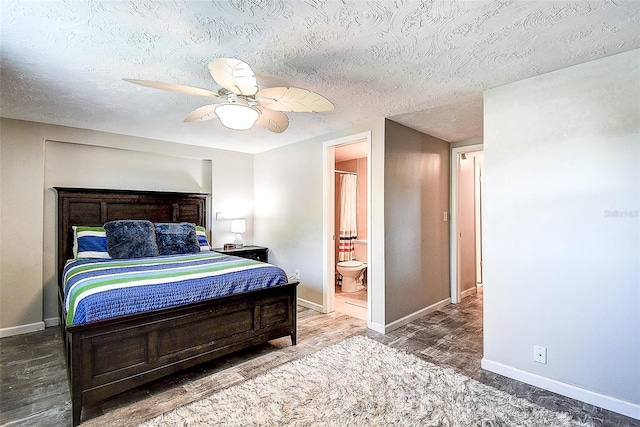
421, 63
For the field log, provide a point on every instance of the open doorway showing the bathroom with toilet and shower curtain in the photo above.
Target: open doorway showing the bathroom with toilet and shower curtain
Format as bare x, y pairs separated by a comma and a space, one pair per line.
347, 283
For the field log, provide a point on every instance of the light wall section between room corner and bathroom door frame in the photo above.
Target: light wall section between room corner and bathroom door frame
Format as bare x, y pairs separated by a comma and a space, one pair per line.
289, 212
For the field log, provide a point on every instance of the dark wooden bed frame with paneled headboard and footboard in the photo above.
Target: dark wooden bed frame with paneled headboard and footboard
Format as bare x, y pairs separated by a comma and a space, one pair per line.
107, 357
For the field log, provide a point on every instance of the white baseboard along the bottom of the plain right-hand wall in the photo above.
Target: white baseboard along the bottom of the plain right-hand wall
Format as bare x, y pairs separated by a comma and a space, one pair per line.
610, 403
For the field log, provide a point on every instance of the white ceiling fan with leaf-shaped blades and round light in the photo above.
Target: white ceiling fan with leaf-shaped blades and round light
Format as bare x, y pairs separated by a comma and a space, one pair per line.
239, 104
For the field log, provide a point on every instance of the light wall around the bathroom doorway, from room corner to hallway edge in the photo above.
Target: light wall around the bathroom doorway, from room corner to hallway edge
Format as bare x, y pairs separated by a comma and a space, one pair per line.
289, 210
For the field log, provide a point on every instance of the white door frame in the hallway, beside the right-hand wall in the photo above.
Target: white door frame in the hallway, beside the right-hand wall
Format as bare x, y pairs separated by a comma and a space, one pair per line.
454, 247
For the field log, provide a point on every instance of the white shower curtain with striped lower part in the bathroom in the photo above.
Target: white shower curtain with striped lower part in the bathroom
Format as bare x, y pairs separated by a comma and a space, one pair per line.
348, 225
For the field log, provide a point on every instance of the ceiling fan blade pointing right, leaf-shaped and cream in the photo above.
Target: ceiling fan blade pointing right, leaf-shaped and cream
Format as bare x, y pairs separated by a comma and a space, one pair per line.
293, 99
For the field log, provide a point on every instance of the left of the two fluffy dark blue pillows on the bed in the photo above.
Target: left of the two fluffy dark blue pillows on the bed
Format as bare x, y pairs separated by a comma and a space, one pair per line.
131, 238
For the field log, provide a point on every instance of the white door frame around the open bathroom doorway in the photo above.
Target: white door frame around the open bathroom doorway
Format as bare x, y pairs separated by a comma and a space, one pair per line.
328, 221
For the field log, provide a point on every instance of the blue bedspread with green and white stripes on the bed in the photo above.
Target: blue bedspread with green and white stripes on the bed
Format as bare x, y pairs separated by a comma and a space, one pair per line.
98, 289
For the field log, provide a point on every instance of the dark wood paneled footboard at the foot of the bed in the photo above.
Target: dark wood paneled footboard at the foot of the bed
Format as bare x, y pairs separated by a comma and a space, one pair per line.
109, 357
